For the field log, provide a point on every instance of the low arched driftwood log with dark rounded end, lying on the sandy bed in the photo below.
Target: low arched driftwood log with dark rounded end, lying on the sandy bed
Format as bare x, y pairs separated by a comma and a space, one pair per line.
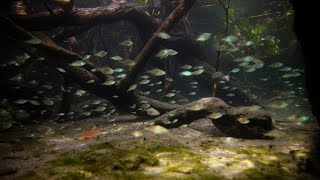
242, 122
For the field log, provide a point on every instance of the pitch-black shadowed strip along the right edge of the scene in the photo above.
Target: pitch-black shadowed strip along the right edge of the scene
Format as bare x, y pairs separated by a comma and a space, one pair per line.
305, 19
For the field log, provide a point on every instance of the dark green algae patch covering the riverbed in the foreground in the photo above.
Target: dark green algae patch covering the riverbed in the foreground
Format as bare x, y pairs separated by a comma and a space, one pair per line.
112, 159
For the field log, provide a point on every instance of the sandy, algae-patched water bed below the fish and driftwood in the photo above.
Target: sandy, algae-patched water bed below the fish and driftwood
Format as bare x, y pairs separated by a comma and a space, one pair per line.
130, 150
